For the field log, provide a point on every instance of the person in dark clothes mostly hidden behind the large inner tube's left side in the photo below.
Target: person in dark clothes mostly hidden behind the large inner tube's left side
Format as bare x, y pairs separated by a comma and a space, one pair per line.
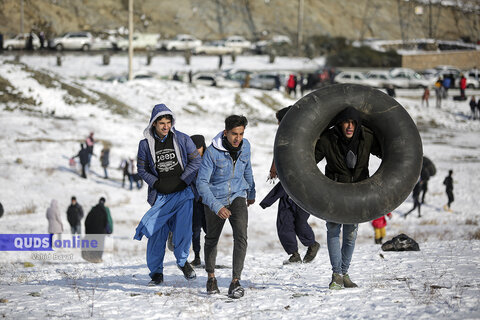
292, 221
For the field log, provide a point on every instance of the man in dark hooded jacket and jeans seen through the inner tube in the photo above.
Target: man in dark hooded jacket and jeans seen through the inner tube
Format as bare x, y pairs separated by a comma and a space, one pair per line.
346, 147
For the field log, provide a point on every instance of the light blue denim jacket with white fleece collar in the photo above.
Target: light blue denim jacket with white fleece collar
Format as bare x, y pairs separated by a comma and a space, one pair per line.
219, 182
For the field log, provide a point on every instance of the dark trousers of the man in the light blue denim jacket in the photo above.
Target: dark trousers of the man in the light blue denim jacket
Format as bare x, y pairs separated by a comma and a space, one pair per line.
239, 222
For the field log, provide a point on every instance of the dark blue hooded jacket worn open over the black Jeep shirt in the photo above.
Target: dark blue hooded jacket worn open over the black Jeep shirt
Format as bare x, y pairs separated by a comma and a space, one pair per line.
185, 149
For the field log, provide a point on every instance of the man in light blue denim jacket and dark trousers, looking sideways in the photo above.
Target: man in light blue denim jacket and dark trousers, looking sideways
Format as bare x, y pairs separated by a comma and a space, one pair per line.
225, 183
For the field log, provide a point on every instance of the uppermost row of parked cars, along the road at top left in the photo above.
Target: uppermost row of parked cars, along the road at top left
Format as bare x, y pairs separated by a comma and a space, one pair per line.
141, 41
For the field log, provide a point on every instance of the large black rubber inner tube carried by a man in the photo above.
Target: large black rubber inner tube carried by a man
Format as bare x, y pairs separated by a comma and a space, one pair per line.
348, 202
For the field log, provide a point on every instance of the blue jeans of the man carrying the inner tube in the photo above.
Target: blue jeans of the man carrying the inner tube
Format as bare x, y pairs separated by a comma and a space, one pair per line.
340, 257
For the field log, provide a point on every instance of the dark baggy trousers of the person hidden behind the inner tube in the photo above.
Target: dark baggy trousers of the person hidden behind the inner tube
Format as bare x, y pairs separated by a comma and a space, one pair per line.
292, 223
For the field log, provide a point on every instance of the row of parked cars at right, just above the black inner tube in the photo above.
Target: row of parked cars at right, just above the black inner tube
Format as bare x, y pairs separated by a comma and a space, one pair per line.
406, 78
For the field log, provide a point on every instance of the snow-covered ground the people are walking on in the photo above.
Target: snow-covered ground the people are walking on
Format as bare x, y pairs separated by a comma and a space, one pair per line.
61, 105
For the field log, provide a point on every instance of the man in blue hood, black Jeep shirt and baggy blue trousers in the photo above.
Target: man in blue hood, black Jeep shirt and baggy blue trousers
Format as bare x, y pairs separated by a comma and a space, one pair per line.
168, 162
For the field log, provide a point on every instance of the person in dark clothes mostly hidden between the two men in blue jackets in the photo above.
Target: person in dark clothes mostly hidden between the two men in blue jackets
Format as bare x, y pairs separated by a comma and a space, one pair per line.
199, 221
